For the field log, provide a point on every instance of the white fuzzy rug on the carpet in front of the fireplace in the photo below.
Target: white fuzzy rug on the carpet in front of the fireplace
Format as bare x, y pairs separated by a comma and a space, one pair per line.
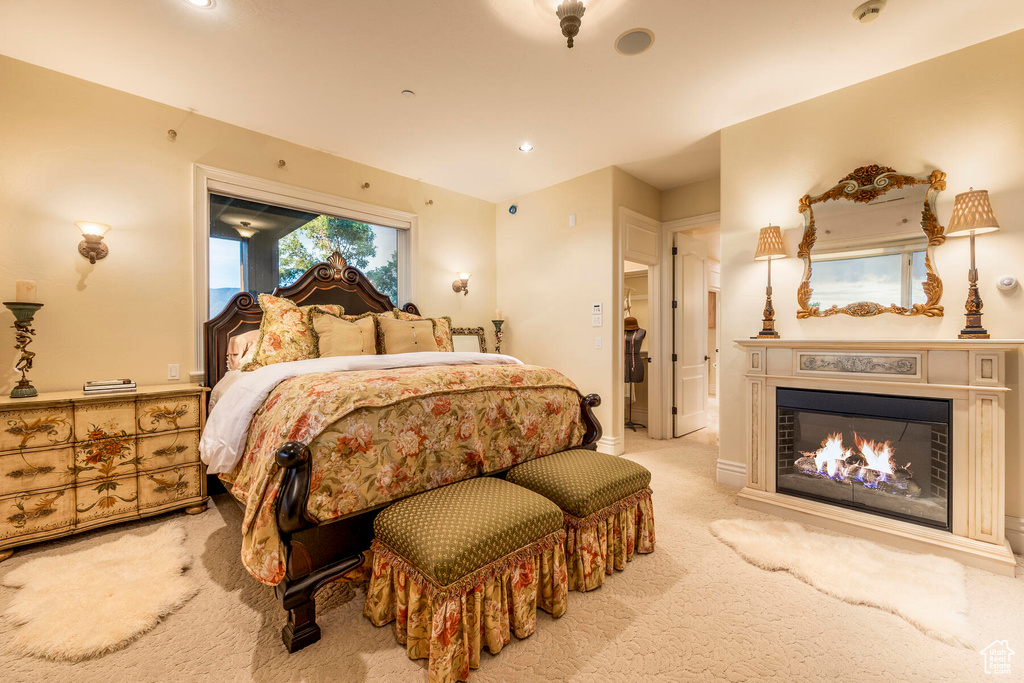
926, 590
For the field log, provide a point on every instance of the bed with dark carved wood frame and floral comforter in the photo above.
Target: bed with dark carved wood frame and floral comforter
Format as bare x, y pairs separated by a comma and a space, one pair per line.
298, 542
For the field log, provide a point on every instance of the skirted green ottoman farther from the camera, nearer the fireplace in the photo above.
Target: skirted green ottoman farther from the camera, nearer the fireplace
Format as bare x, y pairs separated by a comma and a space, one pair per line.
607, 505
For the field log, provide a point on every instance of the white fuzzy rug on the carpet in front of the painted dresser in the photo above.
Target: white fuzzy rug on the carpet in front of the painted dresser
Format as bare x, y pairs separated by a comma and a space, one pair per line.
95, 602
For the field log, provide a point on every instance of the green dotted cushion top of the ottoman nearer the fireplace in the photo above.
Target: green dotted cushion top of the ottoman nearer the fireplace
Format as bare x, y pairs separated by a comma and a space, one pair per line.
582, 482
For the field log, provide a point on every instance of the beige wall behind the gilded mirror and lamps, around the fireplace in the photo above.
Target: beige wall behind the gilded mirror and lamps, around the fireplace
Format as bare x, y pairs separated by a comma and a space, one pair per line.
962, 113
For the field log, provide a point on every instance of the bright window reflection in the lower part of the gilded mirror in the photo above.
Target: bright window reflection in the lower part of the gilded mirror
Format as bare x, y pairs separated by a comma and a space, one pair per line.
887, 276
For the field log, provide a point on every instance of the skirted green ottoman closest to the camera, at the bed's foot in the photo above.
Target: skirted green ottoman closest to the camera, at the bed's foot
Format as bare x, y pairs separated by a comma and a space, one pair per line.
463, 567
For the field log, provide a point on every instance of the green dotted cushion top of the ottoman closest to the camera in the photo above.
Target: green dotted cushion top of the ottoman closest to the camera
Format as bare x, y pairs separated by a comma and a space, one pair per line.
452, 532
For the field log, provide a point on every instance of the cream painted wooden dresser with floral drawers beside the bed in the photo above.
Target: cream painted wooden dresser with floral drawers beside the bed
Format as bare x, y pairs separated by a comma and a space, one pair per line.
71, 462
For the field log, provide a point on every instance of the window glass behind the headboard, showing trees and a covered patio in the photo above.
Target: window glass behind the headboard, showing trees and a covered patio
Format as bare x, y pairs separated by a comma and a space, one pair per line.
257, 247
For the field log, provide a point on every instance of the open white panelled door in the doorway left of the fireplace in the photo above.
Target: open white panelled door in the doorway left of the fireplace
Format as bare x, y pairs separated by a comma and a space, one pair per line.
691, 344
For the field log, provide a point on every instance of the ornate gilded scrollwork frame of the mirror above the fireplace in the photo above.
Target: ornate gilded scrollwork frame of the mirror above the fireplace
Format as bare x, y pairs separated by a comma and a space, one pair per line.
864, 186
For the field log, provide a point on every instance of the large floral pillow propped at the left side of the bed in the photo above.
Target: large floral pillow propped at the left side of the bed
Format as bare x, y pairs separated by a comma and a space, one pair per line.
285, 333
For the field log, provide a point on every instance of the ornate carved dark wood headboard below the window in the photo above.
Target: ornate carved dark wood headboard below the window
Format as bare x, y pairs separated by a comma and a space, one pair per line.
332, 282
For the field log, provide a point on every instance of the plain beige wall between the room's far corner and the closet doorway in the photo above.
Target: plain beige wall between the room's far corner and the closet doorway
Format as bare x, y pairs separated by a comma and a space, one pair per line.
550, 274
